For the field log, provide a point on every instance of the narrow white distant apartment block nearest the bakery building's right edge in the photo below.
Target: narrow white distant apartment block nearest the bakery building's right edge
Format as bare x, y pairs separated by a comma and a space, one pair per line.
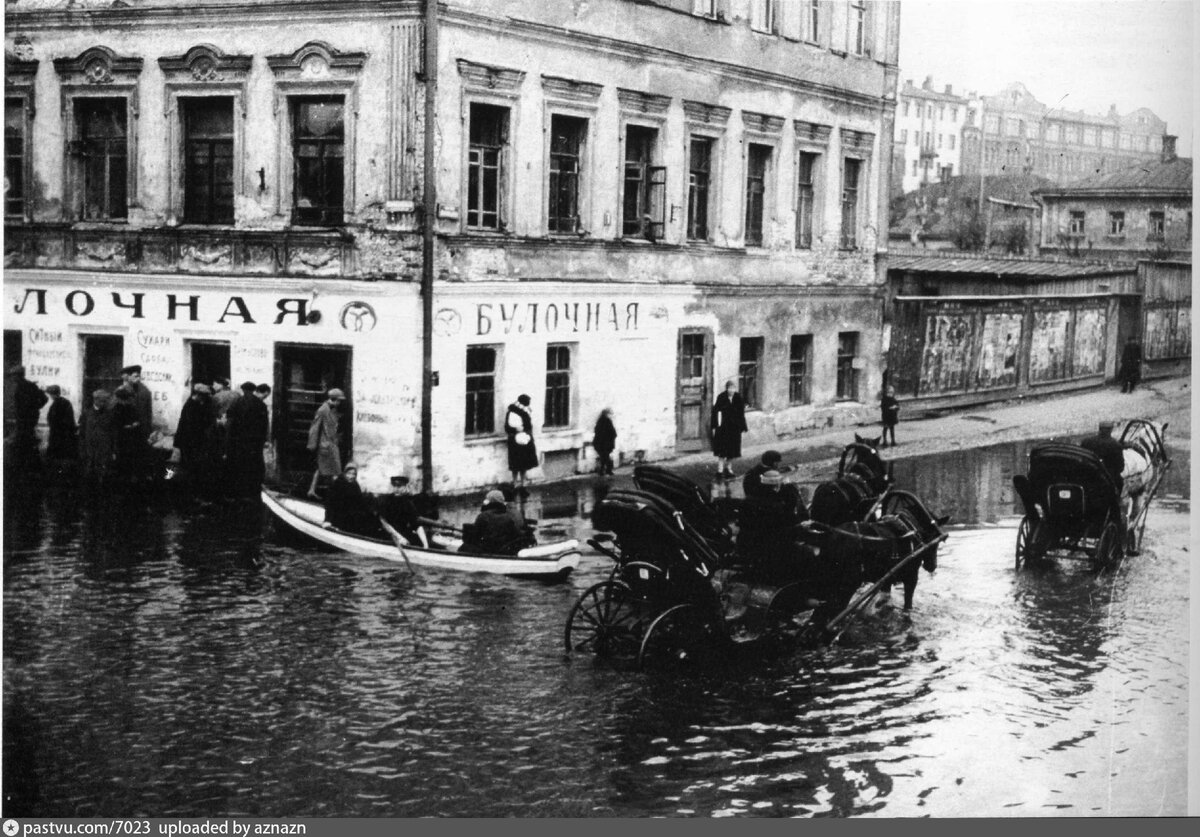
928, 143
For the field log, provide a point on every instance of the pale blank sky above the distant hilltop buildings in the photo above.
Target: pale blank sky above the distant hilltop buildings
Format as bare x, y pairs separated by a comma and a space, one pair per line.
1077, 55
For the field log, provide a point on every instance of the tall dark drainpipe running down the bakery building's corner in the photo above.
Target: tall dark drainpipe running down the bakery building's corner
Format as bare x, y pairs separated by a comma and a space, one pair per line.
428, 231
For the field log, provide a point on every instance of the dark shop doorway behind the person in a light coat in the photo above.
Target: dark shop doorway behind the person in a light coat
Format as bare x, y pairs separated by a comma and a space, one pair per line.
304, 374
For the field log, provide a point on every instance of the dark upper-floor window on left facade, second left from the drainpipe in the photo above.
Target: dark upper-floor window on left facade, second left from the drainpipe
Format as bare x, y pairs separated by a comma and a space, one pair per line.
208, 161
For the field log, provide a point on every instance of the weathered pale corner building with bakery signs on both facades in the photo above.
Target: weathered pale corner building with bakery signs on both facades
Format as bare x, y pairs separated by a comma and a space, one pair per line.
637, 202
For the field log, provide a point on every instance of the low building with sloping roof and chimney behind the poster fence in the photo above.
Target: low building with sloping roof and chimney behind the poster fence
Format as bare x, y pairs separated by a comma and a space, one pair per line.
1139, 212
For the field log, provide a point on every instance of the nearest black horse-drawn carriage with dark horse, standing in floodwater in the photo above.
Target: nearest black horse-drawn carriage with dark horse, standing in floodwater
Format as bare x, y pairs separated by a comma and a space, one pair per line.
683, 586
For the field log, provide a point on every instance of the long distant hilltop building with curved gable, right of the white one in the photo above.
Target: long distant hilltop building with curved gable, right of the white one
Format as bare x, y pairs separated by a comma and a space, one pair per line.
1023, 136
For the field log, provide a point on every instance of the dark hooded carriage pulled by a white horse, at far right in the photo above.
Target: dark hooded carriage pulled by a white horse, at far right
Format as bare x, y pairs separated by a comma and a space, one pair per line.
1076, 509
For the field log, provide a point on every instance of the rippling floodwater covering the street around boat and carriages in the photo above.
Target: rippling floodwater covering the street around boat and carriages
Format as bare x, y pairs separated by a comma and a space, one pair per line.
177, 665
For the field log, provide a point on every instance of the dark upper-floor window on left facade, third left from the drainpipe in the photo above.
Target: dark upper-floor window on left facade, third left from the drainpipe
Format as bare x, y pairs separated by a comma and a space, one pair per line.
101, 150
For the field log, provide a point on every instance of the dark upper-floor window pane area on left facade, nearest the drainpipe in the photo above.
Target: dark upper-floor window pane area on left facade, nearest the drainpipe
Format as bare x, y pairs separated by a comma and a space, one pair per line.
319, 150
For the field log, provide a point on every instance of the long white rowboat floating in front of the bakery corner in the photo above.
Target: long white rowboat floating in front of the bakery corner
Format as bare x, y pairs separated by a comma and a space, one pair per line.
548, 562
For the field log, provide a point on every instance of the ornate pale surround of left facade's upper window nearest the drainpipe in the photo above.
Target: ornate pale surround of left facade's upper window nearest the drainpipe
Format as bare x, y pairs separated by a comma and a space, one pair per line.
316, 70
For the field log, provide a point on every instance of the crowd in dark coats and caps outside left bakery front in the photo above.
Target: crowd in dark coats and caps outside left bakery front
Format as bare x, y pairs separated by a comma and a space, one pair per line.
220, 436
